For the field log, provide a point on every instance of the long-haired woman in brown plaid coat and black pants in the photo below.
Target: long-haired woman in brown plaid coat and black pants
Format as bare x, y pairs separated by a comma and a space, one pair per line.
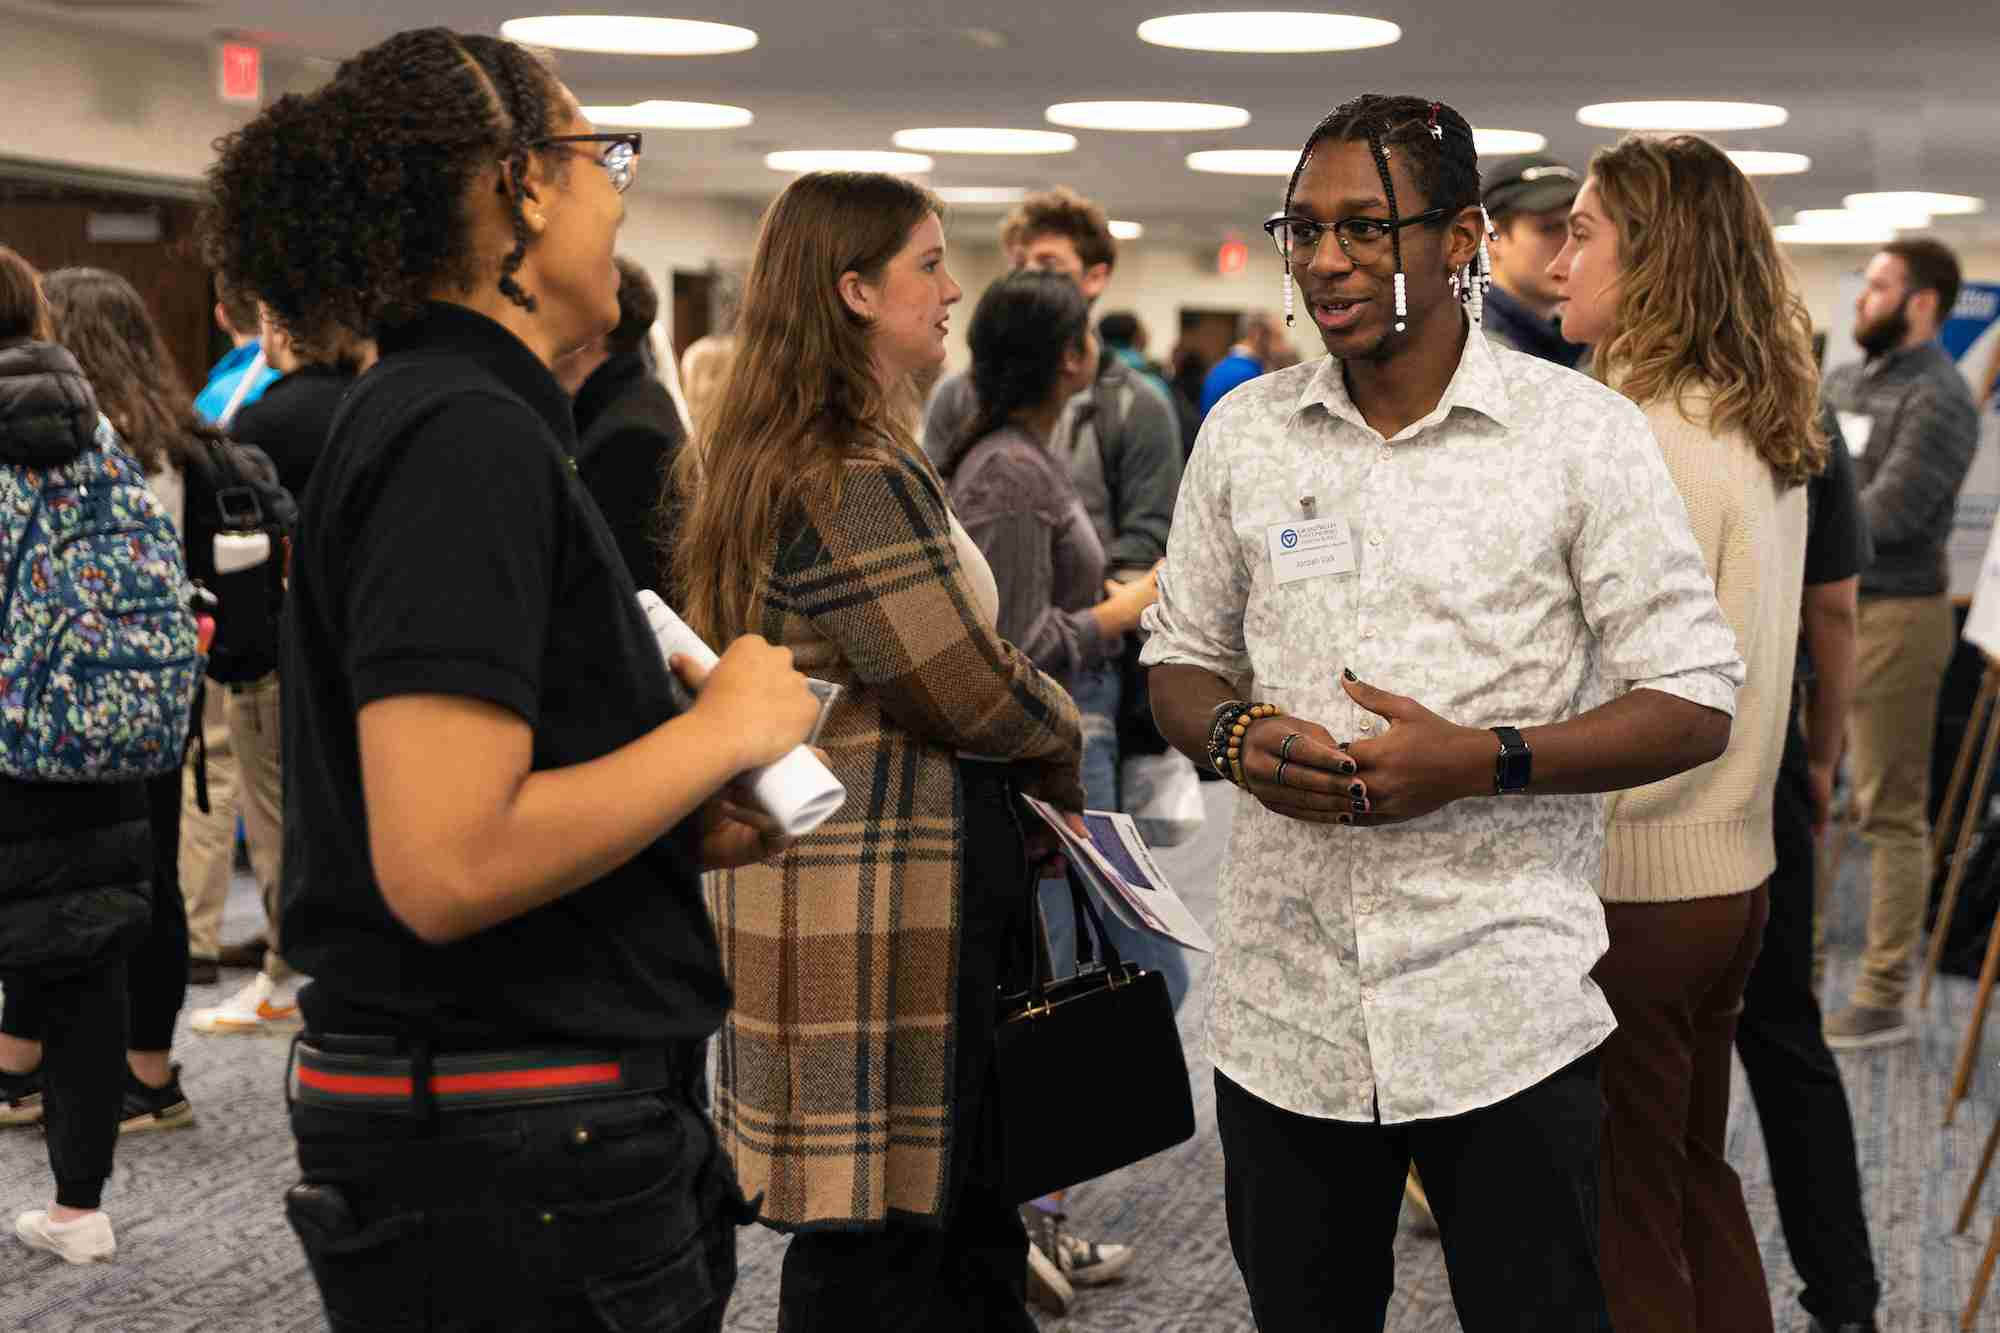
855, 1066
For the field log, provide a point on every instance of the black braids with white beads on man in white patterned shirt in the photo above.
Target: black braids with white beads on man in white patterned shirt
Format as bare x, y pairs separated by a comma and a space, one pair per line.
1443, 159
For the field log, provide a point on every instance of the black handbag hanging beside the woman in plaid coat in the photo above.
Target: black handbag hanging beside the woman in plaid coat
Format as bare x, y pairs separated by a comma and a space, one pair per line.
1103, 1046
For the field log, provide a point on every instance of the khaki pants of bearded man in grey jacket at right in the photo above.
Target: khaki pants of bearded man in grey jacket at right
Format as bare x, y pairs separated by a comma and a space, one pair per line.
1903, 649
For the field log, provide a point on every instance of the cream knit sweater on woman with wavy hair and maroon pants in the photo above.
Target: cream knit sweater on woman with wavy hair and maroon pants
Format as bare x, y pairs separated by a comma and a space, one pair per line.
1707, 834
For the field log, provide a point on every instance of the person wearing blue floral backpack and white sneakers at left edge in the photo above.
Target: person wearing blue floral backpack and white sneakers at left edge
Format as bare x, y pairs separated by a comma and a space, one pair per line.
99, 657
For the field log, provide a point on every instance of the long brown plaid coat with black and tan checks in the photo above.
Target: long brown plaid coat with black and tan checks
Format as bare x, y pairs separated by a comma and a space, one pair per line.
837, 1060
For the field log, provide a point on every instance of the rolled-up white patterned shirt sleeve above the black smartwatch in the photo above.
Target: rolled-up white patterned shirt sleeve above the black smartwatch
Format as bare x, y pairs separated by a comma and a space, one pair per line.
1645, 589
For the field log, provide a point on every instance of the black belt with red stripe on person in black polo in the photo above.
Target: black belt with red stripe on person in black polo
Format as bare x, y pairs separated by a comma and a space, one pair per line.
417, 1084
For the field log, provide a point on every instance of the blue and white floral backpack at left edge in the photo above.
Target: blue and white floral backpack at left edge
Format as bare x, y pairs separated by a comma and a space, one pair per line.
99, 653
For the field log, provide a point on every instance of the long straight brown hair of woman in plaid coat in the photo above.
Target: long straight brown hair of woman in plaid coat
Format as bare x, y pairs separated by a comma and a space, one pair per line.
801, 397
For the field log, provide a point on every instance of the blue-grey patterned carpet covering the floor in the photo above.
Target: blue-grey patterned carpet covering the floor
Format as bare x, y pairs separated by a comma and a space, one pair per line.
203, 1244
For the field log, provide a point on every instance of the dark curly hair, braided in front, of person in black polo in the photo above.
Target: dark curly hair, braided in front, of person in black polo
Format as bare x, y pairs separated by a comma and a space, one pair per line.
343, 209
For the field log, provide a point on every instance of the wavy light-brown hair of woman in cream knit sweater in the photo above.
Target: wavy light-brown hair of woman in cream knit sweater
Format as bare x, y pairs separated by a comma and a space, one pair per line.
1709, 305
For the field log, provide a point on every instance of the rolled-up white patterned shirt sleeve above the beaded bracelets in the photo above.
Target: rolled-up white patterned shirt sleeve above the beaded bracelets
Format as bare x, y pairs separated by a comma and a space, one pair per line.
1205, 583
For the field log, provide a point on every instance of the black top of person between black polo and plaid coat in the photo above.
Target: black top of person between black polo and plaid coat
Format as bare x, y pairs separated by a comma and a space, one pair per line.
627, 439
